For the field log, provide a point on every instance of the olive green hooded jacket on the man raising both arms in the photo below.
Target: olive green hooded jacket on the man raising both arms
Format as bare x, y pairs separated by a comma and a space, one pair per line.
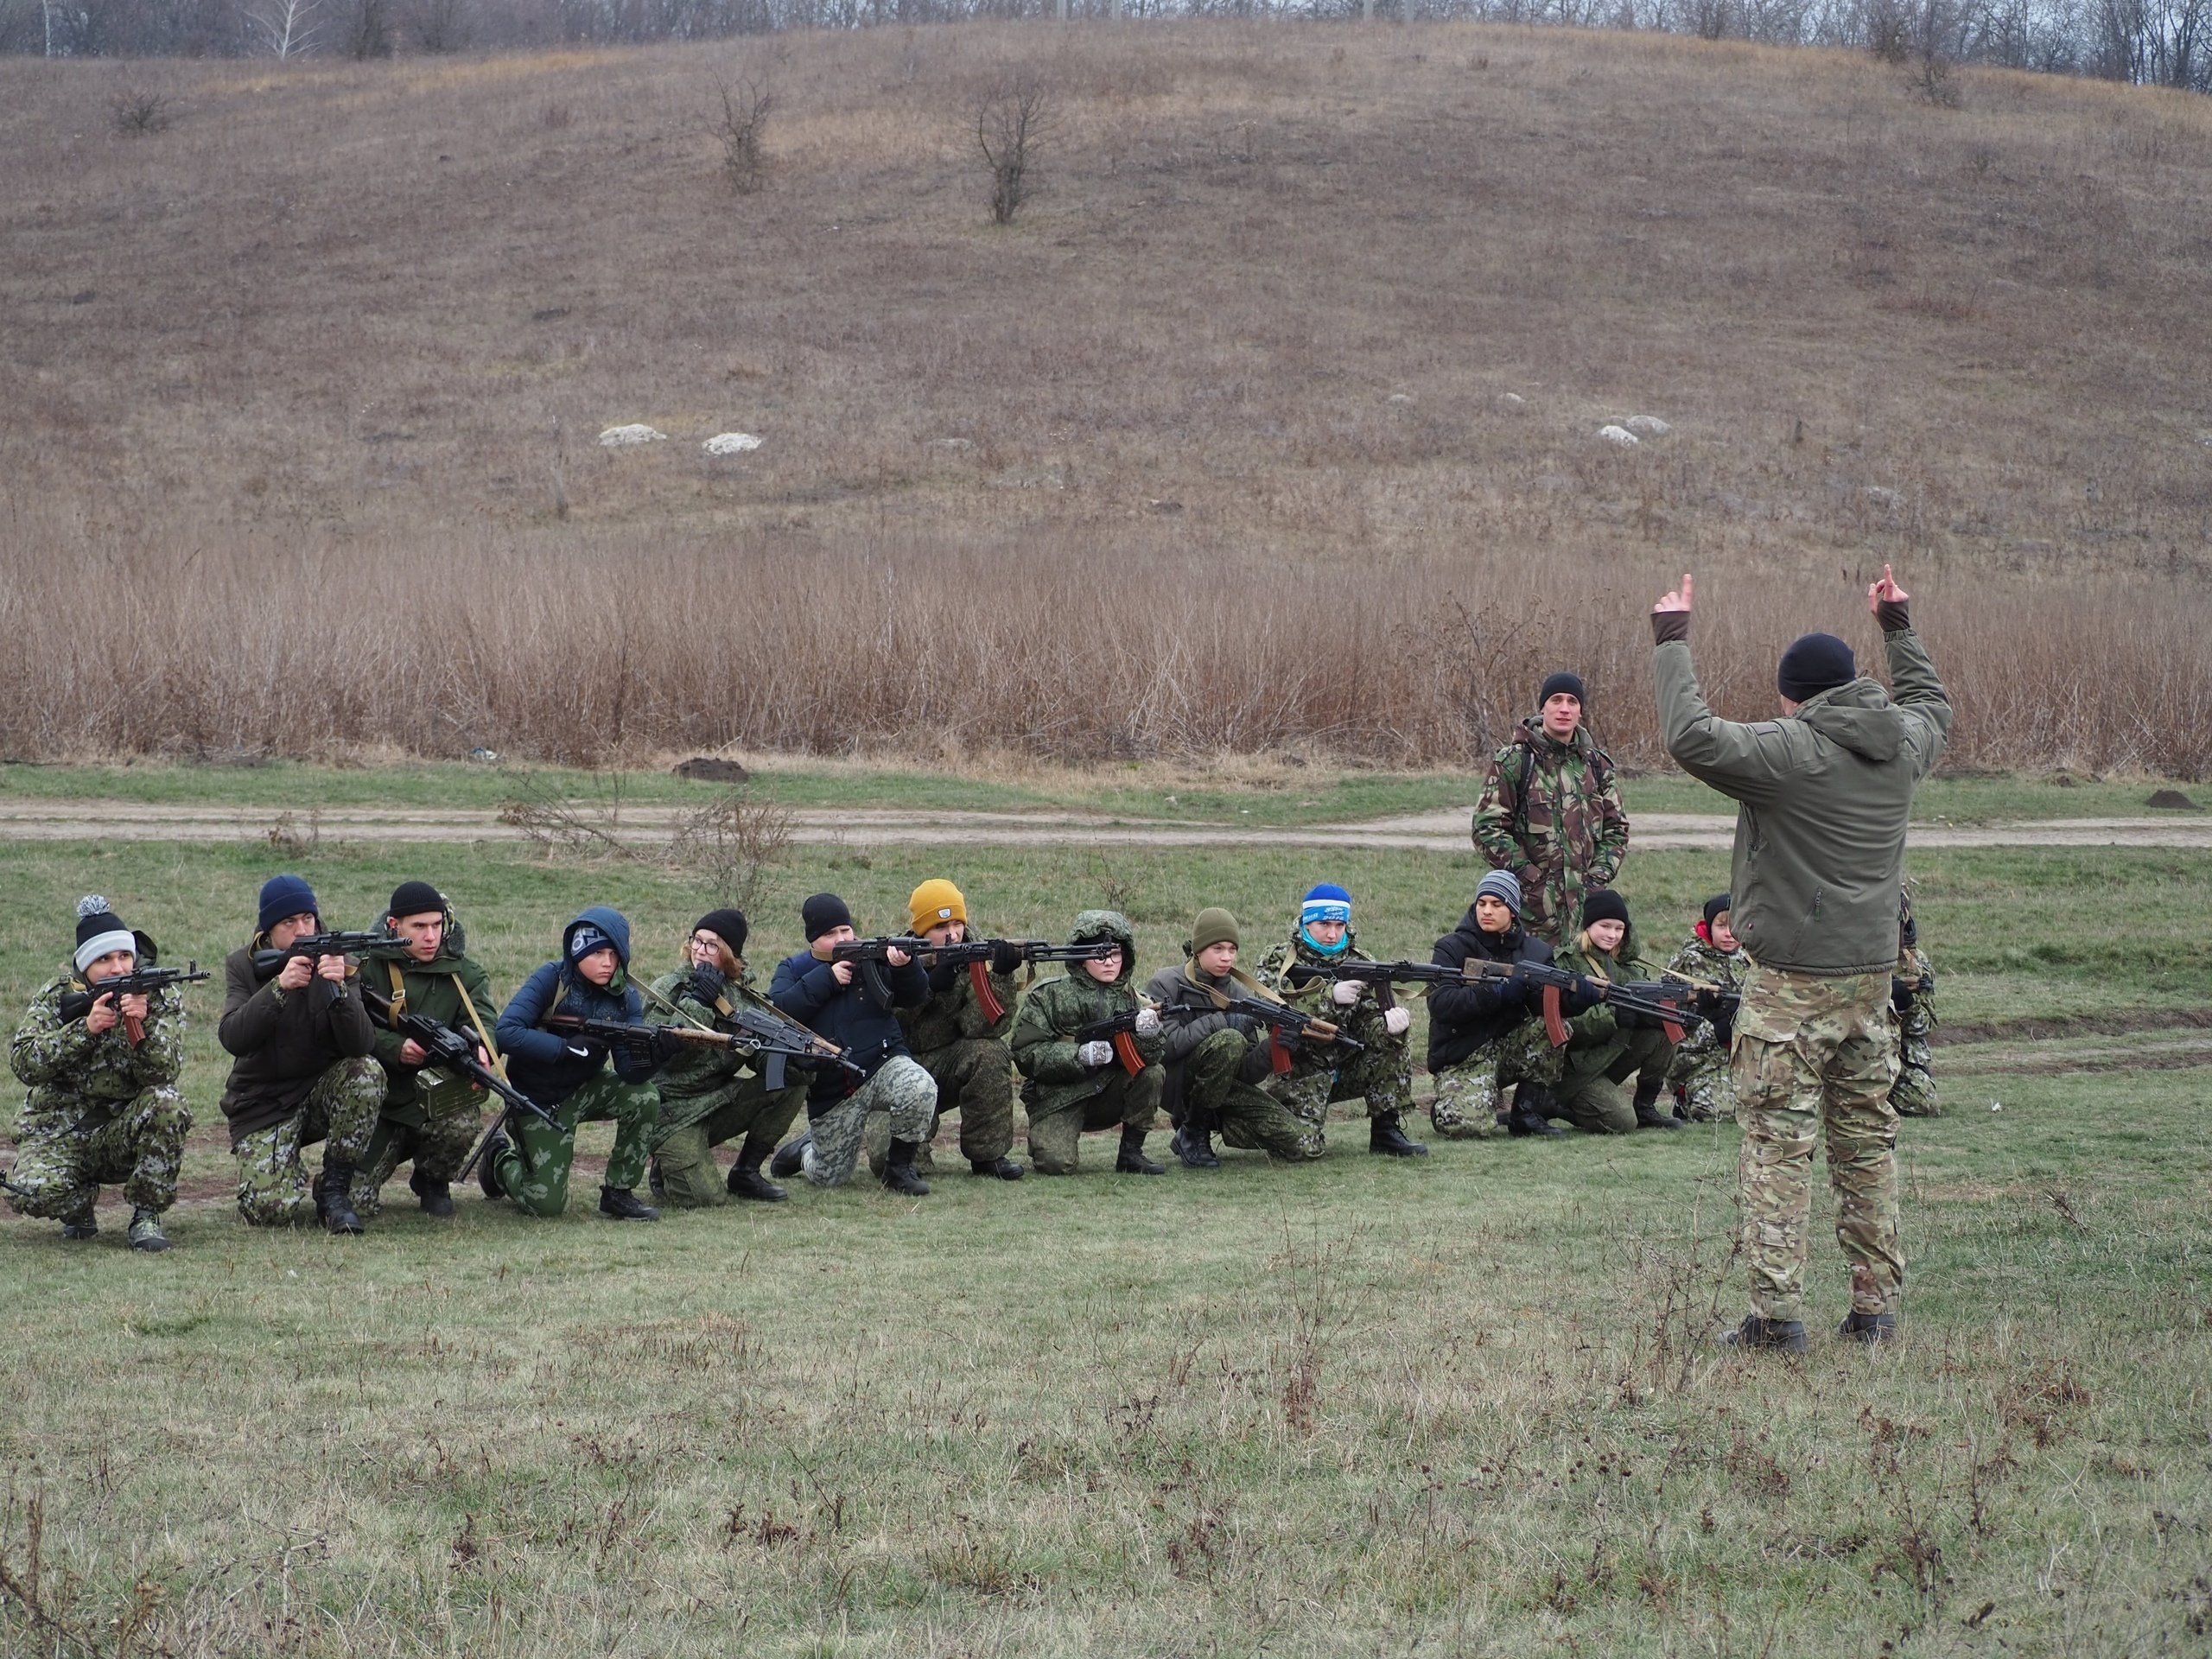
1822, 797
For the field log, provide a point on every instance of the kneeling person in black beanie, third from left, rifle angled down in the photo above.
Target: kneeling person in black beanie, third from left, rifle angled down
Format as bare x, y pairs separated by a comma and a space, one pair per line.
430, 1116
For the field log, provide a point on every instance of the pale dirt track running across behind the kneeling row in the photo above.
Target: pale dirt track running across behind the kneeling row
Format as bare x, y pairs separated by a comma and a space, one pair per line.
1423, 833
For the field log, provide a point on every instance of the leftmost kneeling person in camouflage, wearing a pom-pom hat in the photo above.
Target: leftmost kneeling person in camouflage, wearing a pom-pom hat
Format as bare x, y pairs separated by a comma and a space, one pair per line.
105, 1100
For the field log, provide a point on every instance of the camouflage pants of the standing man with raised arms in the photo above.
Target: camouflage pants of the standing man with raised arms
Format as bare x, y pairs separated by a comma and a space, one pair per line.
1817, 1054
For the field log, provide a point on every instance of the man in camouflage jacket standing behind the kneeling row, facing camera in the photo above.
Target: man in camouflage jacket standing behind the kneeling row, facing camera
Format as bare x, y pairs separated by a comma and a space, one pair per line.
1552, 813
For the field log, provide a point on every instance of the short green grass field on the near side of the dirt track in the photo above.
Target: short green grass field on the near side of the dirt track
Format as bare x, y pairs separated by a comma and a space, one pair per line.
1465, 1406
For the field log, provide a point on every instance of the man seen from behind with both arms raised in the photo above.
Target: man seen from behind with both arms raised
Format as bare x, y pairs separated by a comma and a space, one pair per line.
1822, 804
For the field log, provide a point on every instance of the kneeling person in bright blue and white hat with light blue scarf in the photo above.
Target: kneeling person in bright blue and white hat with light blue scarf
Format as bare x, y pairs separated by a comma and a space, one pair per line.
1384, 1072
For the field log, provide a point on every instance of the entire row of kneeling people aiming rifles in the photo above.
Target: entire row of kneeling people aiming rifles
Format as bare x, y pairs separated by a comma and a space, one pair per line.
390, 1047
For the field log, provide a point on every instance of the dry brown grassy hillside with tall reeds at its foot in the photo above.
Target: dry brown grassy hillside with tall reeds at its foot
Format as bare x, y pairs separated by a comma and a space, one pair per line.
284, 397
